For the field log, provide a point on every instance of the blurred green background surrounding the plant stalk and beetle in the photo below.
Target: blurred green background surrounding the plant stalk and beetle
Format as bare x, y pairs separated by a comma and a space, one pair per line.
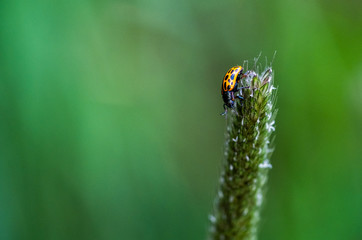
110, 125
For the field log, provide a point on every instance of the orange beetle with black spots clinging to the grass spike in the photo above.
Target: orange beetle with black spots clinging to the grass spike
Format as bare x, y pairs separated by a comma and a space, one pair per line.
229, 87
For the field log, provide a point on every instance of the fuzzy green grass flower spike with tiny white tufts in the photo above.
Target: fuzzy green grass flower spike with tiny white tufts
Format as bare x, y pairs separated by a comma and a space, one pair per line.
247, 154
